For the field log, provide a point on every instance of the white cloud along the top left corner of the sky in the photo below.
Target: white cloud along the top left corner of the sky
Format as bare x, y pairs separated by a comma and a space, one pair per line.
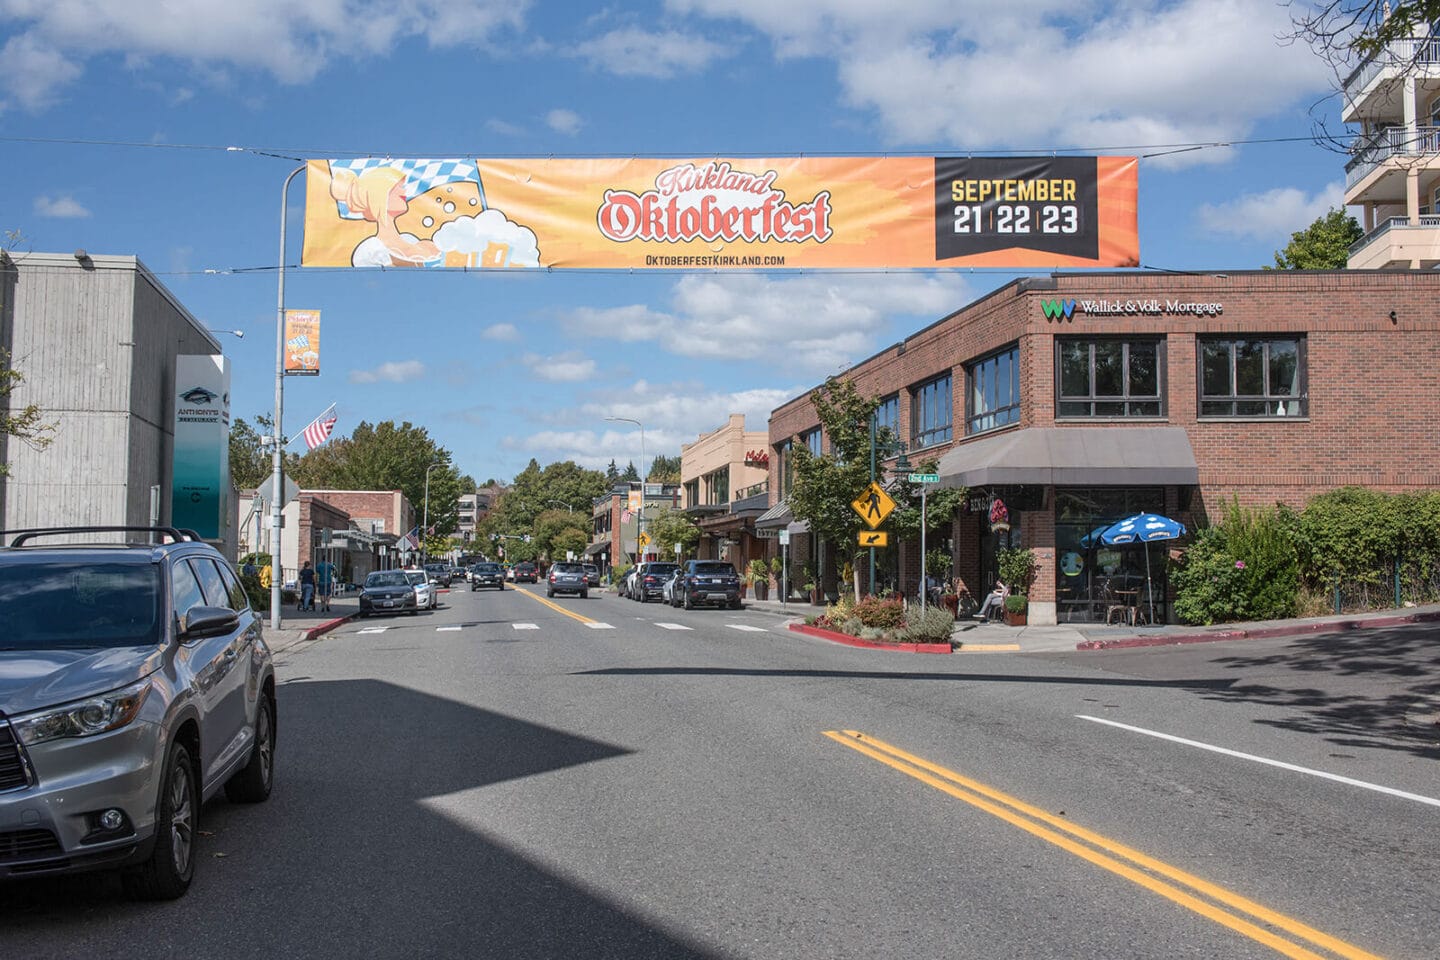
290, 41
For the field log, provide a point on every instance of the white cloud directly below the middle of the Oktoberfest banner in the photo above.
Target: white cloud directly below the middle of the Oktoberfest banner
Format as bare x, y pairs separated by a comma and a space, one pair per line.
810, 325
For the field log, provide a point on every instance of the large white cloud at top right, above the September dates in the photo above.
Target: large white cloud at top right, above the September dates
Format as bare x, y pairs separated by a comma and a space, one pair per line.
1036, 74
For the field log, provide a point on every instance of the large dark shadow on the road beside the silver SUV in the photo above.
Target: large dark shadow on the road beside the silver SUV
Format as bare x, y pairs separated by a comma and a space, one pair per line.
348, 860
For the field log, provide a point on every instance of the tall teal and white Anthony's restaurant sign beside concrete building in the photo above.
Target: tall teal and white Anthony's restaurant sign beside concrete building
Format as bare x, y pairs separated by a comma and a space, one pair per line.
201, 474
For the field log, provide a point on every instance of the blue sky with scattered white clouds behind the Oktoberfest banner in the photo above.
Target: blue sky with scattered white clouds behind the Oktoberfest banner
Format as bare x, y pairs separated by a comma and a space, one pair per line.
116, 120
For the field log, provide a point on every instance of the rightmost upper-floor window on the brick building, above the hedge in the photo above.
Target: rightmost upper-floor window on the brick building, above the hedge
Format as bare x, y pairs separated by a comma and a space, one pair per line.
1259, 378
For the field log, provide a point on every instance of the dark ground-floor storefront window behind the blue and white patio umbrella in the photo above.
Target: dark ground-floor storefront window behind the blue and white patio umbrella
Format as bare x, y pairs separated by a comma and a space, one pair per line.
1092, 576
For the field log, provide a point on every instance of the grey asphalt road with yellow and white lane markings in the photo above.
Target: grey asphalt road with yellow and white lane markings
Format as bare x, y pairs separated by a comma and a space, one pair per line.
518, 778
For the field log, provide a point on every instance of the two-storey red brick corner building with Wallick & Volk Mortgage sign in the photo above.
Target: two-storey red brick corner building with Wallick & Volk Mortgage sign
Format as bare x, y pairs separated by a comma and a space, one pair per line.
1079, 399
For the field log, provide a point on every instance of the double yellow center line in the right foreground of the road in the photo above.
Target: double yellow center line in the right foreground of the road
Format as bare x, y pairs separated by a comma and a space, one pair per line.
1193, 893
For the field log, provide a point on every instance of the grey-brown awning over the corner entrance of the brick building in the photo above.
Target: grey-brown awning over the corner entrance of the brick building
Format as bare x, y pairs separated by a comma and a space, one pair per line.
1075, 457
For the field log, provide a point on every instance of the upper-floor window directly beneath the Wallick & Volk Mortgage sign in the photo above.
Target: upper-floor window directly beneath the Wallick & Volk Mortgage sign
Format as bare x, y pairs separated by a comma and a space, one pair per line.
1111, 378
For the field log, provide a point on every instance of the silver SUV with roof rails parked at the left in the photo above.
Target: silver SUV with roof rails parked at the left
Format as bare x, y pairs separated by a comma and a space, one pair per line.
135, 686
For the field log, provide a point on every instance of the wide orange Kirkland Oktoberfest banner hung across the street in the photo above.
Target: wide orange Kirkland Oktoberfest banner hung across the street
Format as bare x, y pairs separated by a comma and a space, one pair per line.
722, 214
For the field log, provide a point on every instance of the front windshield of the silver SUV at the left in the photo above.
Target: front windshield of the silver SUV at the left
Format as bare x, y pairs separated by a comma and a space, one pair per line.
53, 605
